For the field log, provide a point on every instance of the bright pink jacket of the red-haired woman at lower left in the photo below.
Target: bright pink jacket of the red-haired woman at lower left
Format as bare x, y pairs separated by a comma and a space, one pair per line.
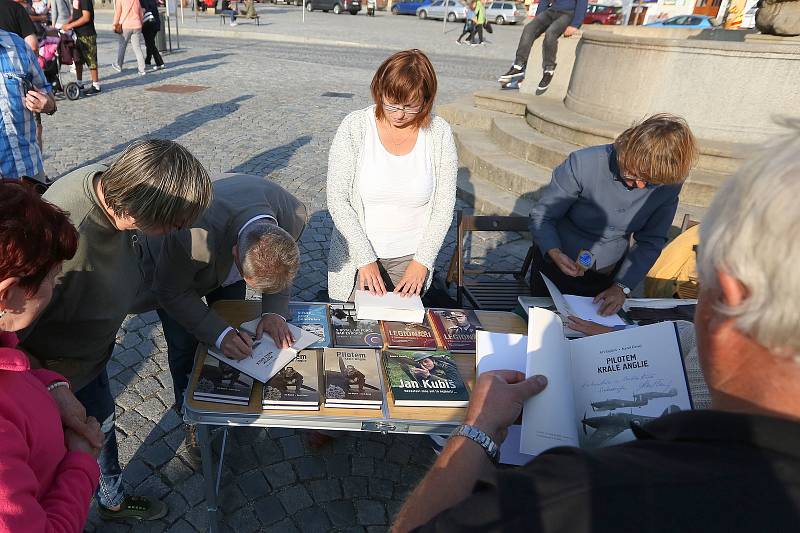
43, 487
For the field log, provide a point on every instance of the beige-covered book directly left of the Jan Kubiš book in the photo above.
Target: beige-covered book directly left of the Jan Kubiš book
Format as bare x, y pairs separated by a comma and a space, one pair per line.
352, 378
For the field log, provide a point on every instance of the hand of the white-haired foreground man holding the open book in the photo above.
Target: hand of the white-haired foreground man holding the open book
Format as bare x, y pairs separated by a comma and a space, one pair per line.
497, 400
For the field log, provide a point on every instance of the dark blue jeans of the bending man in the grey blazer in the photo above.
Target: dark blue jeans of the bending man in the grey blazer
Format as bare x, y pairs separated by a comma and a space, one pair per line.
182, 345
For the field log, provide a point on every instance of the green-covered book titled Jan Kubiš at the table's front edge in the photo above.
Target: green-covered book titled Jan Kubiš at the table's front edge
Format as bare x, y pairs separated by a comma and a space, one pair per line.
424, 379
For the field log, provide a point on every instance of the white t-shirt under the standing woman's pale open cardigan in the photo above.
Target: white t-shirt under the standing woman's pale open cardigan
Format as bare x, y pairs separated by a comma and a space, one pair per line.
395, 191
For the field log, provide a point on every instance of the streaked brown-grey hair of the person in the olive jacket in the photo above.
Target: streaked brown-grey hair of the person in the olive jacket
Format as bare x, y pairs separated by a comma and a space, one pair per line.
159, 183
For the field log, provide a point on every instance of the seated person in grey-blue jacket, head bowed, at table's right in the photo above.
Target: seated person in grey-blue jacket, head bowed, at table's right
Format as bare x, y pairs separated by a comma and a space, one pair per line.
602, 196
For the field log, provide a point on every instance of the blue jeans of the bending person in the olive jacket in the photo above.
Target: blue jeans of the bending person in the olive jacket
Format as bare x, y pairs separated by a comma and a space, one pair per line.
97, 399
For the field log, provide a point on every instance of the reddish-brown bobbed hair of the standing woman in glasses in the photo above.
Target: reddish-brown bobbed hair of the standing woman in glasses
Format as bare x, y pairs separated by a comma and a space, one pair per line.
407, 76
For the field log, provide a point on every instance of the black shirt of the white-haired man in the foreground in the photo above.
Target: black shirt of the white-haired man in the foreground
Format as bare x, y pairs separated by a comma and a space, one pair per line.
704, 471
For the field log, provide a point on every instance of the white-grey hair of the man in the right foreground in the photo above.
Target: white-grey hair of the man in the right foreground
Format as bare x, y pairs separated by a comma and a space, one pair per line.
751, 233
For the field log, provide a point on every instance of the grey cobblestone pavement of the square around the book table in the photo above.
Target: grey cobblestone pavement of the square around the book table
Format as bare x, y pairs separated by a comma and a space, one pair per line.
263, 111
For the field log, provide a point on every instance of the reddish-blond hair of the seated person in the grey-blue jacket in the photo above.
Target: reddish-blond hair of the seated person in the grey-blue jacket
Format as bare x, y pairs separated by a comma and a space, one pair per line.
660, 149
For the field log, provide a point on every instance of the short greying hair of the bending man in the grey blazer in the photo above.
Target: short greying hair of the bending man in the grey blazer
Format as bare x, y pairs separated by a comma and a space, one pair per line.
270, 257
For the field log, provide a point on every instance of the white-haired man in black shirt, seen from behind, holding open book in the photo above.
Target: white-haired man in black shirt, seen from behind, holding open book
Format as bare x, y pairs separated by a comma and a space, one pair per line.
733, 468
